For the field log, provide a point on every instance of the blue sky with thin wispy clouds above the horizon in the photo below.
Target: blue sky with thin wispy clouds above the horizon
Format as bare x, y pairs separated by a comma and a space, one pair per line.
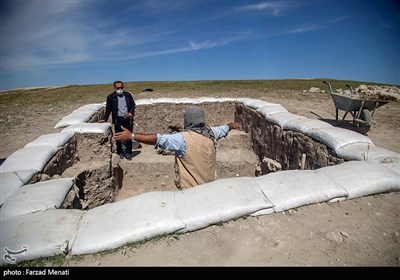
54, 43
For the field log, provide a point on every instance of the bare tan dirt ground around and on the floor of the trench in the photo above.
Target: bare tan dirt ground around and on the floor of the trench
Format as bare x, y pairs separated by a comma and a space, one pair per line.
359, 232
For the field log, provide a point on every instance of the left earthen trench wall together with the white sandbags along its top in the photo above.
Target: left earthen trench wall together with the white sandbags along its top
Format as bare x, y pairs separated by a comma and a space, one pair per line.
63, 154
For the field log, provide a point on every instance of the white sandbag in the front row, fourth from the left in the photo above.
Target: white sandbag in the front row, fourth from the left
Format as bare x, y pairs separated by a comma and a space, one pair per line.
294, 188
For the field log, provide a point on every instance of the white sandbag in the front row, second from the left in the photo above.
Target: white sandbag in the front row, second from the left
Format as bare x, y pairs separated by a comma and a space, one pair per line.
133, 219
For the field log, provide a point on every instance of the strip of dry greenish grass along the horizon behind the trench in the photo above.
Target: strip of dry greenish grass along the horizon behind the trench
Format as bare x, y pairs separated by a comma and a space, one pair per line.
15, 103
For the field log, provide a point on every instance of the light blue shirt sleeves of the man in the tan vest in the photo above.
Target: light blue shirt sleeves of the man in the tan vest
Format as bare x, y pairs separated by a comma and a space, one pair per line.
176, 142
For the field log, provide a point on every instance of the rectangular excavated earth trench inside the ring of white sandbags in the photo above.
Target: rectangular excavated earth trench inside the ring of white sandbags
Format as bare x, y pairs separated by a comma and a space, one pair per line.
259, 148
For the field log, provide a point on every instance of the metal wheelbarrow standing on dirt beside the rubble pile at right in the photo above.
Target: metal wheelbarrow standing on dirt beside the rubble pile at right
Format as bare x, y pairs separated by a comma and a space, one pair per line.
361, 110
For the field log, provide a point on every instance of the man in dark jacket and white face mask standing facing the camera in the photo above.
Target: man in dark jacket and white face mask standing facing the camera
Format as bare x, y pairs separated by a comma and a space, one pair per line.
121, 106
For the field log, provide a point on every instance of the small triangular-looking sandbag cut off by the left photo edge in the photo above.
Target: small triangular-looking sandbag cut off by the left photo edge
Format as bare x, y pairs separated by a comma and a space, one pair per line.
11, 181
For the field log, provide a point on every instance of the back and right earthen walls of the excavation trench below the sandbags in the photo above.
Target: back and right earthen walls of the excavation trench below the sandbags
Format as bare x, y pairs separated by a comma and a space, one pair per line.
268, 139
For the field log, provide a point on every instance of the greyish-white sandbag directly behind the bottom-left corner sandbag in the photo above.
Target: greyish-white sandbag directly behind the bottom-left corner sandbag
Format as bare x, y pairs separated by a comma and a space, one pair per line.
37, 197
